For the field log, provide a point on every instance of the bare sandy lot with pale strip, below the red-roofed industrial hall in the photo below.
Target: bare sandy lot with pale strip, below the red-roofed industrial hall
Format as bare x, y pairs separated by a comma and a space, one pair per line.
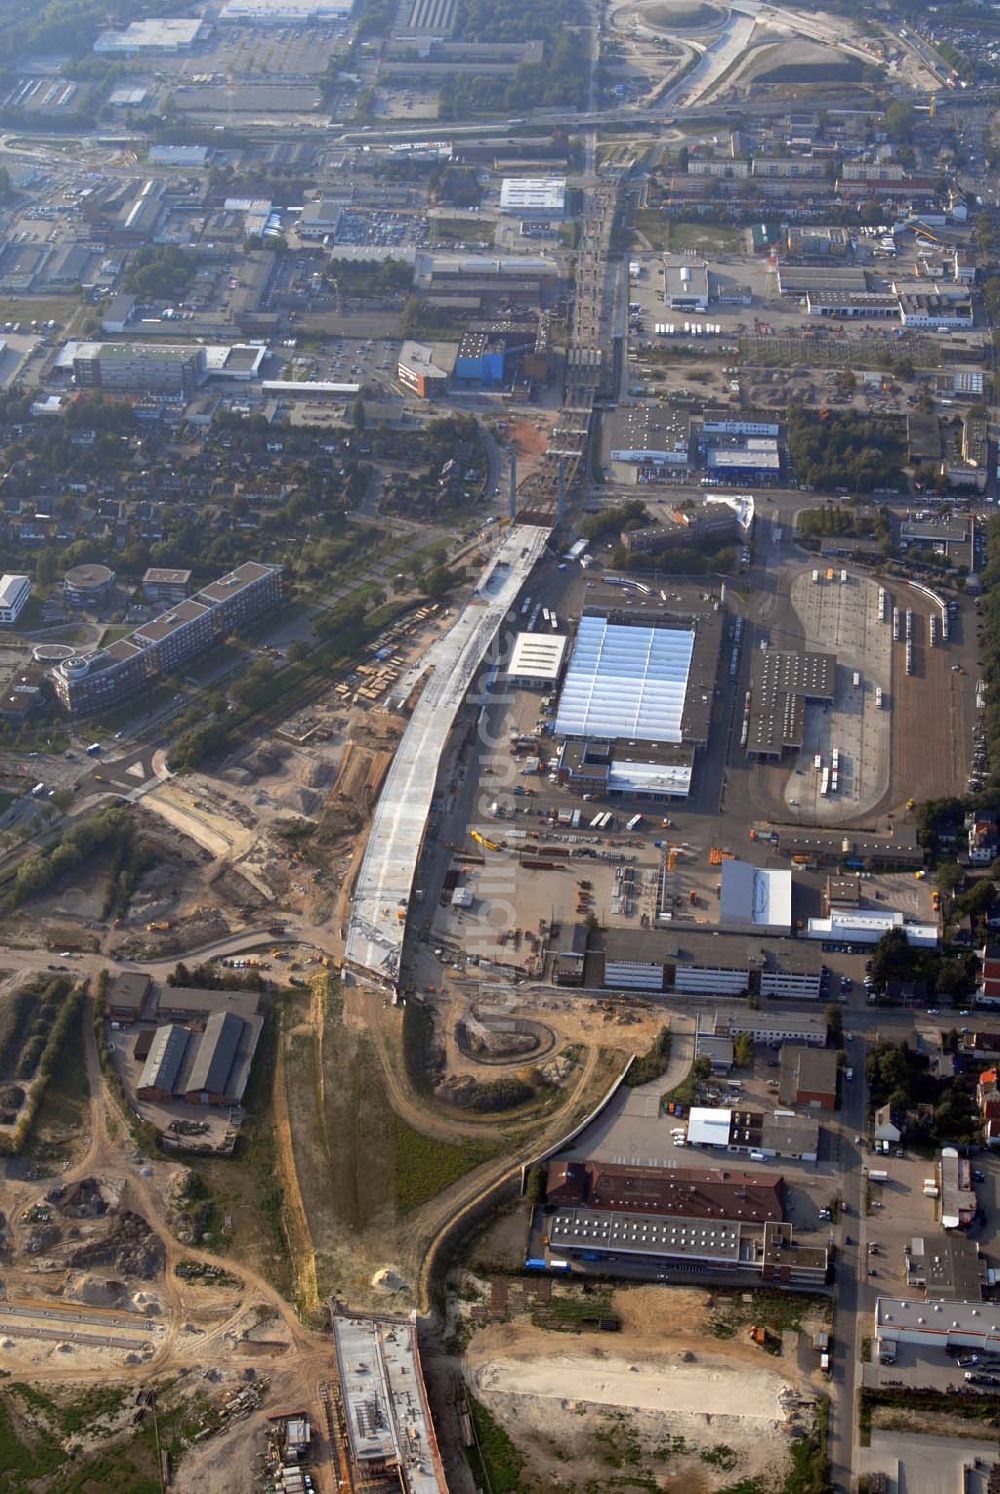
688, 1419
